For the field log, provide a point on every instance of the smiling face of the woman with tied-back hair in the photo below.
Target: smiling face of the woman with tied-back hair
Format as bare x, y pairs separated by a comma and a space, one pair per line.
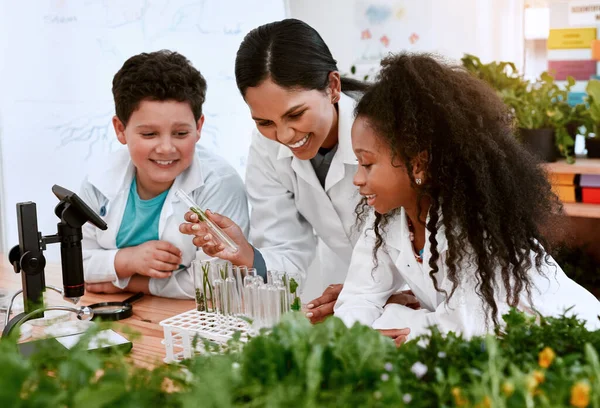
302, 120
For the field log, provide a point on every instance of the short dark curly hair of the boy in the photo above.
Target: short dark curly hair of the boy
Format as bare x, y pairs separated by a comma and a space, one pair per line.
158, 76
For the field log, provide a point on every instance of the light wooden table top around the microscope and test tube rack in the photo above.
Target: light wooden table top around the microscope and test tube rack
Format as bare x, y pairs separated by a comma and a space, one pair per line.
147, 313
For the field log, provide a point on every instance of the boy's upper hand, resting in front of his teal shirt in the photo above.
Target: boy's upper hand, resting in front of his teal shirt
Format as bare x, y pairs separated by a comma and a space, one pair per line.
155, 259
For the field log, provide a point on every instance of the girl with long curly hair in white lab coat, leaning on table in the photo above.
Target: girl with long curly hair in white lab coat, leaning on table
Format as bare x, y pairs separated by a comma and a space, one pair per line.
458, 206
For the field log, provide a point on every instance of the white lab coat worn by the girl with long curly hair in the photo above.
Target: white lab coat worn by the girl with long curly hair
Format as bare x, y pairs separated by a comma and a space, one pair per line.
366, 290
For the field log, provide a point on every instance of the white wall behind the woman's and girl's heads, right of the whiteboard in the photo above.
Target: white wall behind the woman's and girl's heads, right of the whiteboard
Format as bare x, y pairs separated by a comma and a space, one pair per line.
490, 29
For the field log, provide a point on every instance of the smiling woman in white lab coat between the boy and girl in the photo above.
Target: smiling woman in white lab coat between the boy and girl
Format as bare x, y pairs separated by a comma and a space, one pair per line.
300, 164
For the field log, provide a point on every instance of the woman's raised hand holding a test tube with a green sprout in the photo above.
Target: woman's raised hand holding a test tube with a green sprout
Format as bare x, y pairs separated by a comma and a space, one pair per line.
203, 238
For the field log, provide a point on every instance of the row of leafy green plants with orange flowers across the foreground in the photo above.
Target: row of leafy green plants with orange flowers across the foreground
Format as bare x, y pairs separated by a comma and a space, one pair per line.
550, 363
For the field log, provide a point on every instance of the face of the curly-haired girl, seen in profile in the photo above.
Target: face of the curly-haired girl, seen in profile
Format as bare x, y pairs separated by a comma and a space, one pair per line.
386, 185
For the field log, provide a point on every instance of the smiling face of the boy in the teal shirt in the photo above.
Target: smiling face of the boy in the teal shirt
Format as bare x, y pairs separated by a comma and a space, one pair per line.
161, 138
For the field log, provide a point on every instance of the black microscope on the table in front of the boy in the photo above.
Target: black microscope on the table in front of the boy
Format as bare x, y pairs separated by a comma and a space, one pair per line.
28, 256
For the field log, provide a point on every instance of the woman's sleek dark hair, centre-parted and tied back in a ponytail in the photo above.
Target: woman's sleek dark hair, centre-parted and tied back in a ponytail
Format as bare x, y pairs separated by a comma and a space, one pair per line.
292, 54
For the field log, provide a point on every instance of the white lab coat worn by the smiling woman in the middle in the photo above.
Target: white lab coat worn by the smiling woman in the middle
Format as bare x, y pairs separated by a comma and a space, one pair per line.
290, 208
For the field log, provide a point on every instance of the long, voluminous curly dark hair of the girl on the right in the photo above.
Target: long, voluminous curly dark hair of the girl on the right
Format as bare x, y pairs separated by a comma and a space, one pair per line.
490, 195
